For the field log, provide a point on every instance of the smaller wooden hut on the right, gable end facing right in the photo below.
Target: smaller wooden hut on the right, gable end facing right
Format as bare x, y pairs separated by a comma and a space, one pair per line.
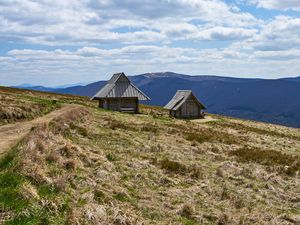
184, 104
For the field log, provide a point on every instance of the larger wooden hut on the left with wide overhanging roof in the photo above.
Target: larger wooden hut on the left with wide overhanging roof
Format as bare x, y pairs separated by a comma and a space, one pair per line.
119, 94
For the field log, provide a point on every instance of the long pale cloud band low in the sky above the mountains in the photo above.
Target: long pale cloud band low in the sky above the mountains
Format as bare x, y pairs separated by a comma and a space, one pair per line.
64, 66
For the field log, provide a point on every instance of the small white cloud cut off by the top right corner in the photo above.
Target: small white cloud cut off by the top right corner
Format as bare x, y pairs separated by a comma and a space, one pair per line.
277, 4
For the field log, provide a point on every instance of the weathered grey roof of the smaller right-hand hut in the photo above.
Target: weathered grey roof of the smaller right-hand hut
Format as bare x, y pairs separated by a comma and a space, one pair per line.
179, 98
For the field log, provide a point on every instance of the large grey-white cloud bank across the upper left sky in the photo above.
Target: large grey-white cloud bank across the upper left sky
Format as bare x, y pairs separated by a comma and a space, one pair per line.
96, 22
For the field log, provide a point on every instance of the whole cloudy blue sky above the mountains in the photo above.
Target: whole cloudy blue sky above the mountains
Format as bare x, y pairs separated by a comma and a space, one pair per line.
55, 42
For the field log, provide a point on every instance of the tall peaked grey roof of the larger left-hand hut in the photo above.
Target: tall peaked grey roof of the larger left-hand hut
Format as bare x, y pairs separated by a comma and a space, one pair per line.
120, 86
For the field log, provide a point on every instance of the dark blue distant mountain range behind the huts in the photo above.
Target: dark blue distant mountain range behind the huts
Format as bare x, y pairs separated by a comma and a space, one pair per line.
274, 101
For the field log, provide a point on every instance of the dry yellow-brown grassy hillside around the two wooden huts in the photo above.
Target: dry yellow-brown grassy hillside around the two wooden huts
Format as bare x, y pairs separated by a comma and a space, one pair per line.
92, 166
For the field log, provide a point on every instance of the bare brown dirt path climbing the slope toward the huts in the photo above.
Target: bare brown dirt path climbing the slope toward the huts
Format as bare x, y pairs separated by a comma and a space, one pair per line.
11, 133
